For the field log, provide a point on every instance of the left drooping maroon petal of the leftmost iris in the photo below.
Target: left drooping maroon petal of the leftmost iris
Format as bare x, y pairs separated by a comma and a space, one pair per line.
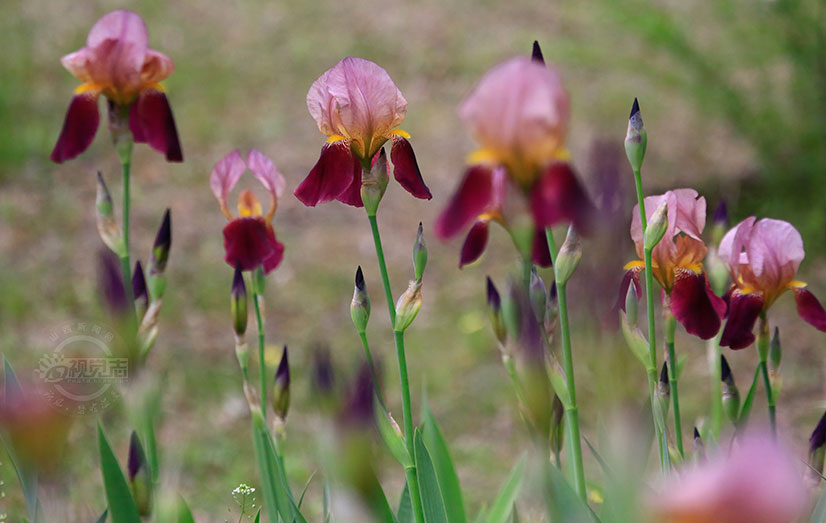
79, 127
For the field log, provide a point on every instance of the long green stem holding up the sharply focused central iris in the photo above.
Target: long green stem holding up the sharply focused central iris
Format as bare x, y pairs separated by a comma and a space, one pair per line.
410, 472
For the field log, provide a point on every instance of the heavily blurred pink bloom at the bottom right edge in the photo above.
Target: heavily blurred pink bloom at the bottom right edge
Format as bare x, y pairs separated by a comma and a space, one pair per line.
757, 483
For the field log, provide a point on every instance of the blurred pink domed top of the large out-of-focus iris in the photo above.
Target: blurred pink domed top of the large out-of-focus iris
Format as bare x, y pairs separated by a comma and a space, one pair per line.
519, 108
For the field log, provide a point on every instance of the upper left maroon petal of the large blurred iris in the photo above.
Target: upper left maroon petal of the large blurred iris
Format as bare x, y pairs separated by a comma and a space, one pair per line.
469, 201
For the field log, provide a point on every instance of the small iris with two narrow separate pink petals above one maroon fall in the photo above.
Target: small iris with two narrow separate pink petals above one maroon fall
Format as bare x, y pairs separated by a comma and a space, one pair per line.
249, 239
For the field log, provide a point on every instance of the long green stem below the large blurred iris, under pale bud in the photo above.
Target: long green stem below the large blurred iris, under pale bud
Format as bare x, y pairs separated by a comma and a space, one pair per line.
571, 410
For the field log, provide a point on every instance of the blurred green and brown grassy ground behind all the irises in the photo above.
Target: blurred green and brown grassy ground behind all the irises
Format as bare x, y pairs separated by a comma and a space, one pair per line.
734, 99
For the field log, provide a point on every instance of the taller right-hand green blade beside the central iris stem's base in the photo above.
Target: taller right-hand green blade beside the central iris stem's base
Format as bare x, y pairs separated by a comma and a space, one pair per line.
445, 471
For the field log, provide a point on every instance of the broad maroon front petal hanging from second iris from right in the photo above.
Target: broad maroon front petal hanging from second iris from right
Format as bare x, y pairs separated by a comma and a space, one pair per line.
694, 305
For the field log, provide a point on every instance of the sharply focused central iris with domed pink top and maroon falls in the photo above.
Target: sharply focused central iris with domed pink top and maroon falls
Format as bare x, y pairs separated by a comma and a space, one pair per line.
358, 108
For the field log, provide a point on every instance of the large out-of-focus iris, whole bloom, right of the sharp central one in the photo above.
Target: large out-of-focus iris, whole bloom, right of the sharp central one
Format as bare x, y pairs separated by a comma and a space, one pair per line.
518, 114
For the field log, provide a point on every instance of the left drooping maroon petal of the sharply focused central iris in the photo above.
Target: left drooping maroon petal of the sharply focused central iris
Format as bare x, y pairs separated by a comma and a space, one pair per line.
331, 175
